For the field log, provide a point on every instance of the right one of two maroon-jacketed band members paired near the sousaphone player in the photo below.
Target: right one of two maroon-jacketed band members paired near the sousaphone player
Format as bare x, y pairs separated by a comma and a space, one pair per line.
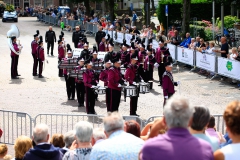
40, 56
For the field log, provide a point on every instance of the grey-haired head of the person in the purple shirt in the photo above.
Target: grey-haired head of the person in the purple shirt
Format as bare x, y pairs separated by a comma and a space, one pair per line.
178, 112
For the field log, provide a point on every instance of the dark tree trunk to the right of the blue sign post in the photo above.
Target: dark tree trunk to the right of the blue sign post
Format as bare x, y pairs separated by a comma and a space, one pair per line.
186, 16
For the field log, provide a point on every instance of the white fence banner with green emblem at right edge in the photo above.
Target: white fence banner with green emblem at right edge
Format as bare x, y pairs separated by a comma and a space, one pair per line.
229, 68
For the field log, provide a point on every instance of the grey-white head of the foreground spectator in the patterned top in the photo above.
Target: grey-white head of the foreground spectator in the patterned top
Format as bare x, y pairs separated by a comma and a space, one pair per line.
83, 131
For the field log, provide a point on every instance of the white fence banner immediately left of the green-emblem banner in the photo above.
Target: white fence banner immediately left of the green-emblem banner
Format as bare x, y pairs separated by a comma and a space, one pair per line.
205, 61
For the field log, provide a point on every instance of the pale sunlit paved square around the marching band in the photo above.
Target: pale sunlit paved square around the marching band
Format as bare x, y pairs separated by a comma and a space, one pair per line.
32, 95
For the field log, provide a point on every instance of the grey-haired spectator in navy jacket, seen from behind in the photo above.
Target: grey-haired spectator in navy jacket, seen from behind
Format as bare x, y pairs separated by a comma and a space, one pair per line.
43, 150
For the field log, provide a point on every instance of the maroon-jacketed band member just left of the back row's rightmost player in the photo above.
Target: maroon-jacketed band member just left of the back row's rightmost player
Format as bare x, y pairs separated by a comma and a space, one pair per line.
149, 65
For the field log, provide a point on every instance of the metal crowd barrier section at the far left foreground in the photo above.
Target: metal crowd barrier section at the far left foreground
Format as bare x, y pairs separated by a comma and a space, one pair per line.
14, 124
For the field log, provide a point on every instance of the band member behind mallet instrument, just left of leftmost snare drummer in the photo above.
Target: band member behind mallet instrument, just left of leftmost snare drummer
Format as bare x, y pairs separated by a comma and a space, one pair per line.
80, 88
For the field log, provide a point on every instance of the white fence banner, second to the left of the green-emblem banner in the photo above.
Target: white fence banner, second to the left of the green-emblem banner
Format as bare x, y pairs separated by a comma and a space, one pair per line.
185, 55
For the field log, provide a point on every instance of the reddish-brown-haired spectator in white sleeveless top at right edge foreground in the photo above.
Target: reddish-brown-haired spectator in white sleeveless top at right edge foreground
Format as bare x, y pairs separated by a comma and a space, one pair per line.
232, 120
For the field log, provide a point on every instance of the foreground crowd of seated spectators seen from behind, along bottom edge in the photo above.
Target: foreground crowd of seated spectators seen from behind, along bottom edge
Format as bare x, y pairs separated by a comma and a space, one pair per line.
185, 132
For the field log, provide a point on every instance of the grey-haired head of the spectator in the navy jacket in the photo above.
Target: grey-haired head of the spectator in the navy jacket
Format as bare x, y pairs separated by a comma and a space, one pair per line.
40, 133
